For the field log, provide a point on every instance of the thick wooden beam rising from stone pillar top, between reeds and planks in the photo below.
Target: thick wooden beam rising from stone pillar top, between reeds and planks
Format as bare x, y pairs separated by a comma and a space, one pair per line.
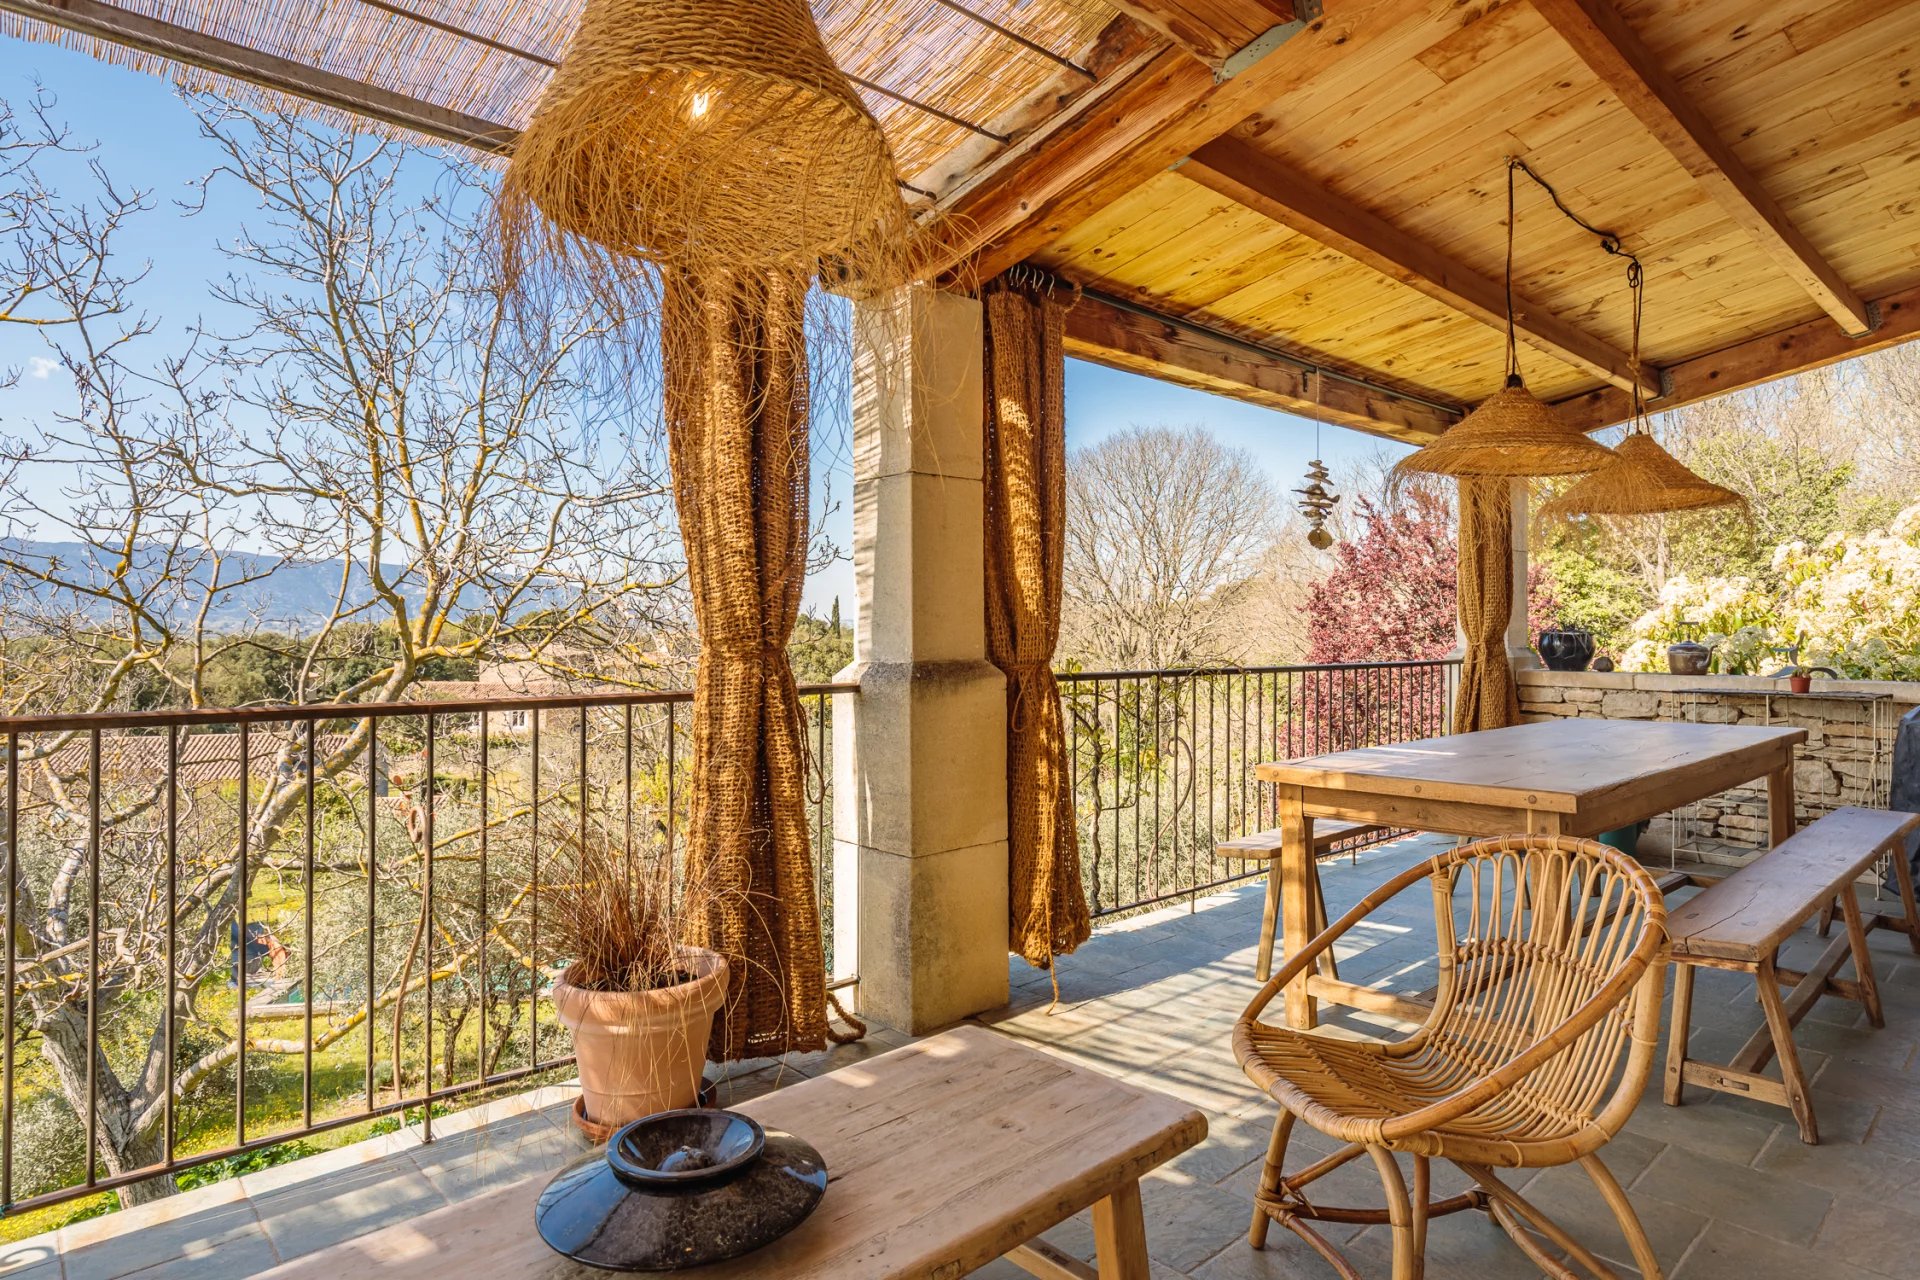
1164, 110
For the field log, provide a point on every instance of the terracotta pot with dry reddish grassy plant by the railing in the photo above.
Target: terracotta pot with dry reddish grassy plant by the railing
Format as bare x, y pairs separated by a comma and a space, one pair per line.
640, 1005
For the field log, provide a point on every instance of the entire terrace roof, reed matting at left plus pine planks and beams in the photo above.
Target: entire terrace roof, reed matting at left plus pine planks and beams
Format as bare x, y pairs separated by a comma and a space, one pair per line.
1303, 202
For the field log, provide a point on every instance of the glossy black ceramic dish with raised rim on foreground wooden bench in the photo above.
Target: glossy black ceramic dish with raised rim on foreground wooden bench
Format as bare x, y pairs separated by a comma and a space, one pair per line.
681, 1189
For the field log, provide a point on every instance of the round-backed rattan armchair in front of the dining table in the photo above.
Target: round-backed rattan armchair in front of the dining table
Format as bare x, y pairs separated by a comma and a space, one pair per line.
1541, 1043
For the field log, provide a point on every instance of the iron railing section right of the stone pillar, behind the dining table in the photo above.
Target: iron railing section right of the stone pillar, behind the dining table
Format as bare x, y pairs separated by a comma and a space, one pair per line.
1164, 761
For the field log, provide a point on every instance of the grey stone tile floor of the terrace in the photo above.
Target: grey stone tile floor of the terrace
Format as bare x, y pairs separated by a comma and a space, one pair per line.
1725, 1187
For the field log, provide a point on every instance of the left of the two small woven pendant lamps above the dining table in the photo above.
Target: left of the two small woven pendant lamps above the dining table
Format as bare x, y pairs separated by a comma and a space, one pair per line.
1512, 433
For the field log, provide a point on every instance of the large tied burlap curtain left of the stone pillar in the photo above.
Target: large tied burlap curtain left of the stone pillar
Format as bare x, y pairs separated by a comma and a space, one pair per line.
736, 417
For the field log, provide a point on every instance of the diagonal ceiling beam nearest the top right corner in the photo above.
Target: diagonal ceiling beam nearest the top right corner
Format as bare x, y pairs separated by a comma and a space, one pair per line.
1610, 47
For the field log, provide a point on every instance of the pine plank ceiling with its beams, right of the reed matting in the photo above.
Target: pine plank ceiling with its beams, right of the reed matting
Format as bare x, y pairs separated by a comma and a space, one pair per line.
1762, 158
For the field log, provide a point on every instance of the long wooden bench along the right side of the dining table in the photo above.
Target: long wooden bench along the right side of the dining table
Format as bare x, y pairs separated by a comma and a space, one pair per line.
1739, 922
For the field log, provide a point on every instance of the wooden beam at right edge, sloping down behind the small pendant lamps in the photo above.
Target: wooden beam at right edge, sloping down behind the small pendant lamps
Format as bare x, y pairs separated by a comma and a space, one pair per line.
1754, 362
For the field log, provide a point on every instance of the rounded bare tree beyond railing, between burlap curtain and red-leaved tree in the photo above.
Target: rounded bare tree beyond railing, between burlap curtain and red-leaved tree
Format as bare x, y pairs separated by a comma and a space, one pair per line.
1166, 533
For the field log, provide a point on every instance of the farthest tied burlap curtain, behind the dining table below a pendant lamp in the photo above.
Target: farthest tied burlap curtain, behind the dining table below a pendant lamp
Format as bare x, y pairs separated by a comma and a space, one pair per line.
1489, 698
